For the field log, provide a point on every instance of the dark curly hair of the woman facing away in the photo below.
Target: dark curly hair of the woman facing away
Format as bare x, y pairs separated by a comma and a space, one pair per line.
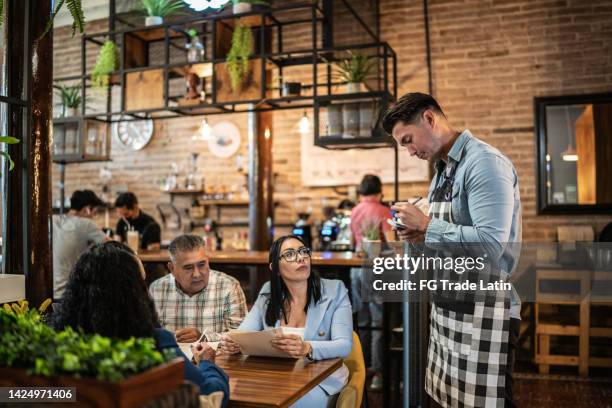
107, 295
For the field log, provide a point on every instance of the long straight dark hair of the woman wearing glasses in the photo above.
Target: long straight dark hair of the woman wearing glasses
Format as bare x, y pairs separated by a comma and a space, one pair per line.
279, 294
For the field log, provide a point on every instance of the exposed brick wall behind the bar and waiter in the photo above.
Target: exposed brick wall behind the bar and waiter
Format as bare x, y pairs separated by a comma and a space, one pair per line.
490, 59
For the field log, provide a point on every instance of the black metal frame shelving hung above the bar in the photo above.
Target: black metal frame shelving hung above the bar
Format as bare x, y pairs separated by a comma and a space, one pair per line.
272, 19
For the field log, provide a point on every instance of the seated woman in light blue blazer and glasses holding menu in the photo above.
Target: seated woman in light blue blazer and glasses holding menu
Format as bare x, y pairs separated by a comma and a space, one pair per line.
297, 299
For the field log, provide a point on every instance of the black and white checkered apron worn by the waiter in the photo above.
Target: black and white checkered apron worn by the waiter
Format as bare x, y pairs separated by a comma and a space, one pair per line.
468, 343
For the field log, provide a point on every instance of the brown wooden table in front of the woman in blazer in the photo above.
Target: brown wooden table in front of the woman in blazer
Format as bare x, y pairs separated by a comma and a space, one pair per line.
272, 382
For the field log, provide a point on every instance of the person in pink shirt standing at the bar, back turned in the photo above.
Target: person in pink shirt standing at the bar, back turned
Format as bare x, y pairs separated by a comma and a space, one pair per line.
369, 213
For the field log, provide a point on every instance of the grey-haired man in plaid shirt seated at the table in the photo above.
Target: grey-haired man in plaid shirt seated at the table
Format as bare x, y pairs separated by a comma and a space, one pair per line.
194, 299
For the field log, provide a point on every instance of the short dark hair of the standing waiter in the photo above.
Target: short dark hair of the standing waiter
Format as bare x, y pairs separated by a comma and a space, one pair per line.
408, 109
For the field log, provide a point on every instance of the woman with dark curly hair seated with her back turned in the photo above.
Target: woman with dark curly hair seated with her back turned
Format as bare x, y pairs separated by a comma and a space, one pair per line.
107, 294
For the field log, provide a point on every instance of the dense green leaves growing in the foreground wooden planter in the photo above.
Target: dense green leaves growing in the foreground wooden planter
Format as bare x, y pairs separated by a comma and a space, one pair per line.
28, 343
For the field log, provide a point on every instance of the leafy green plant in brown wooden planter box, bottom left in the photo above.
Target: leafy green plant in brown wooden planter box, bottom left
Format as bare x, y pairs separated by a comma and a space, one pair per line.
106, 372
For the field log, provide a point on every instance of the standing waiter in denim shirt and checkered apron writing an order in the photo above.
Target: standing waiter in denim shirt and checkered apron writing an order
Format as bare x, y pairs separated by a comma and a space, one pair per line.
473, 201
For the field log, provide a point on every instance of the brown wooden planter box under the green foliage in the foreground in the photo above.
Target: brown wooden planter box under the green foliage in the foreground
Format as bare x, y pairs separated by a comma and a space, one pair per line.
132, 392
